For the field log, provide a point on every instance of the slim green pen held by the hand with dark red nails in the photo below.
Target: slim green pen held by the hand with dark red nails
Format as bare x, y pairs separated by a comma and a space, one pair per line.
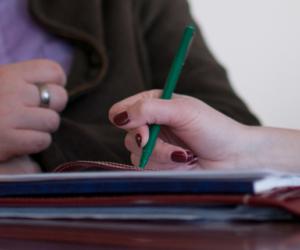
169, 88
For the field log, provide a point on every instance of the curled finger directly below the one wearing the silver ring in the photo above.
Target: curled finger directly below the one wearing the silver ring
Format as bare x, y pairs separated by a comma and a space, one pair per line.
40, 119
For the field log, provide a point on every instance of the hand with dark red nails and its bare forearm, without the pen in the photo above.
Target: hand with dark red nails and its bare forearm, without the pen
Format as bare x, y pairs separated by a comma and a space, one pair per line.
195, 135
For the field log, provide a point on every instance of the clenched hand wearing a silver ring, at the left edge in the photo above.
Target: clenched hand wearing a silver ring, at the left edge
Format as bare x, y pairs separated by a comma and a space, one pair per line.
32, 94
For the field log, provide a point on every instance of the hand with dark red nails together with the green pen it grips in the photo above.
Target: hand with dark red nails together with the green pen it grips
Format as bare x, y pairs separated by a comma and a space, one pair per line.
190, 134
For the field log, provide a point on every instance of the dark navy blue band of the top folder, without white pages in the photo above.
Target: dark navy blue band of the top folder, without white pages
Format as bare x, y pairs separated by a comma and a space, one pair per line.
123, 186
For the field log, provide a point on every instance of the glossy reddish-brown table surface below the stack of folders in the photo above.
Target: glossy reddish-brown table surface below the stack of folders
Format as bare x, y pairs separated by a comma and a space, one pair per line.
39, 234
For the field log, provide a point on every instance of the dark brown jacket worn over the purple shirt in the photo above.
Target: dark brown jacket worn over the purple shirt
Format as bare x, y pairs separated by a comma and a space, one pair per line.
122, 47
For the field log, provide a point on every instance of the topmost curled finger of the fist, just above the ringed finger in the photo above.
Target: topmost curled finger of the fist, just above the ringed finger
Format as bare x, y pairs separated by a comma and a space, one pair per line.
40, 70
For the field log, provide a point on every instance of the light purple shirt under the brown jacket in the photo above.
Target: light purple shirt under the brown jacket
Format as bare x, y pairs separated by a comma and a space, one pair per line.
22, 39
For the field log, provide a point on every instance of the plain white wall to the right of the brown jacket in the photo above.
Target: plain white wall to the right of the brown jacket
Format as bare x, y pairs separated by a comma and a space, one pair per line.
258, 42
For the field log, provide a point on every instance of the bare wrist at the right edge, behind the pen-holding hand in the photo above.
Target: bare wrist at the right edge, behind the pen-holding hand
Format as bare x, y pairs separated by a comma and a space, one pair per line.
272, 148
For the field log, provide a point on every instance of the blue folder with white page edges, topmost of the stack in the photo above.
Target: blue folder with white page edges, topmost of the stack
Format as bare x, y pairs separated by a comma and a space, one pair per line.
130, 182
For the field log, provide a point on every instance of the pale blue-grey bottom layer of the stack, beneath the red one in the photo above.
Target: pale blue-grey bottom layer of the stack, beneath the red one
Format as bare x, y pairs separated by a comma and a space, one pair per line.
150, 213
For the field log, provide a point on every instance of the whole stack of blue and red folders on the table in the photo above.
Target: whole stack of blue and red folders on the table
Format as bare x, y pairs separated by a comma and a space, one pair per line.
108, 191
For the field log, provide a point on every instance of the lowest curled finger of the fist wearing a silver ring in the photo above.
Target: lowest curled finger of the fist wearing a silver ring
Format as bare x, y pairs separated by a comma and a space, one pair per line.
24, 142
